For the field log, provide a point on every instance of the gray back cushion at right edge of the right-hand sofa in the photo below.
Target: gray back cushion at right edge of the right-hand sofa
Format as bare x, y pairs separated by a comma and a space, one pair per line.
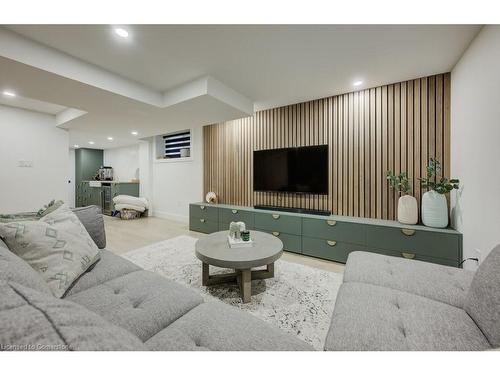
483, 300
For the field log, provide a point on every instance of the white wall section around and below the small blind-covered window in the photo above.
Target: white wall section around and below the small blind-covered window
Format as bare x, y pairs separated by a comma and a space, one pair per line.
175, 184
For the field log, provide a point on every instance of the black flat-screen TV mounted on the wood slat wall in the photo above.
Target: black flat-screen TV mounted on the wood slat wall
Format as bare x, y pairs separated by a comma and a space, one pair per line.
293, 170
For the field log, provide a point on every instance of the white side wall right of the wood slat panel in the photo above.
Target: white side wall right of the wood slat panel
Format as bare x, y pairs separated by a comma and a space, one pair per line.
475, 143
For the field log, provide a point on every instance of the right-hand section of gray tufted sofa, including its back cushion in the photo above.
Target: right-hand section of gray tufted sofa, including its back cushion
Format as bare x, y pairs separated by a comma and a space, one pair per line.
388, 303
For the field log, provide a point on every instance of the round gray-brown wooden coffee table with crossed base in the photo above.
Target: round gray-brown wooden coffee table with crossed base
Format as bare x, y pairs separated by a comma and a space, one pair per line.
214, 250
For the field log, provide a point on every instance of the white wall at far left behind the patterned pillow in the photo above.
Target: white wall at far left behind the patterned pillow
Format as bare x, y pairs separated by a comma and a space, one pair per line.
33, 137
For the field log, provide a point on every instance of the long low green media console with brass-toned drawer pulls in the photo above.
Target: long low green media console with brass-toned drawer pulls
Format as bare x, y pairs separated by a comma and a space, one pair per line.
334, 237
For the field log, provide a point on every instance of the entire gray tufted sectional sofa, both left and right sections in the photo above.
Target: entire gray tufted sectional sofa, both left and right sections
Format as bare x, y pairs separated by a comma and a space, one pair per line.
385, 303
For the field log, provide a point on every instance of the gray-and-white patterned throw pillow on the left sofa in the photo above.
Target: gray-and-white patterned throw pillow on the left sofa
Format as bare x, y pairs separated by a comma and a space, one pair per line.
57, 246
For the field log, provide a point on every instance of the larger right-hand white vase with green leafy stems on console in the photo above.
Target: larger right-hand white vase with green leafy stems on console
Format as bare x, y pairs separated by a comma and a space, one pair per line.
434, 205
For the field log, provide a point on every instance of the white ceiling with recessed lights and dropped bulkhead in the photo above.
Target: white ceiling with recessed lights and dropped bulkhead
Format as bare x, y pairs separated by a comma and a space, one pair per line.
269, 65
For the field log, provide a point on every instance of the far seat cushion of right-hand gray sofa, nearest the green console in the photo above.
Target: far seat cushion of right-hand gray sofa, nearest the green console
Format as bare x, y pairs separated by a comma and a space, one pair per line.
445, 284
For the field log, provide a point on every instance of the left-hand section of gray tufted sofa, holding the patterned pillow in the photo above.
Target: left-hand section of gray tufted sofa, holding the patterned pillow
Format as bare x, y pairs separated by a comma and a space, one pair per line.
118, 306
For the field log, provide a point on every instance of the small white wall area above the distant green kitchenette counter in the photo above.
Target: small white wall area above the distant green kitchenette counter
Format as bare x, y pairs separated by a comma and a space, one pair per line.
125, 162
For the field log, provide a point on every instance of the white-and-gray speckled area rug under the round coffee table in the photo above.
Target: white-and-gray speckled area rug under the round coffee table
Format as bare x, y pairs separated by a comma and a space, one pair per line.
299, 299
